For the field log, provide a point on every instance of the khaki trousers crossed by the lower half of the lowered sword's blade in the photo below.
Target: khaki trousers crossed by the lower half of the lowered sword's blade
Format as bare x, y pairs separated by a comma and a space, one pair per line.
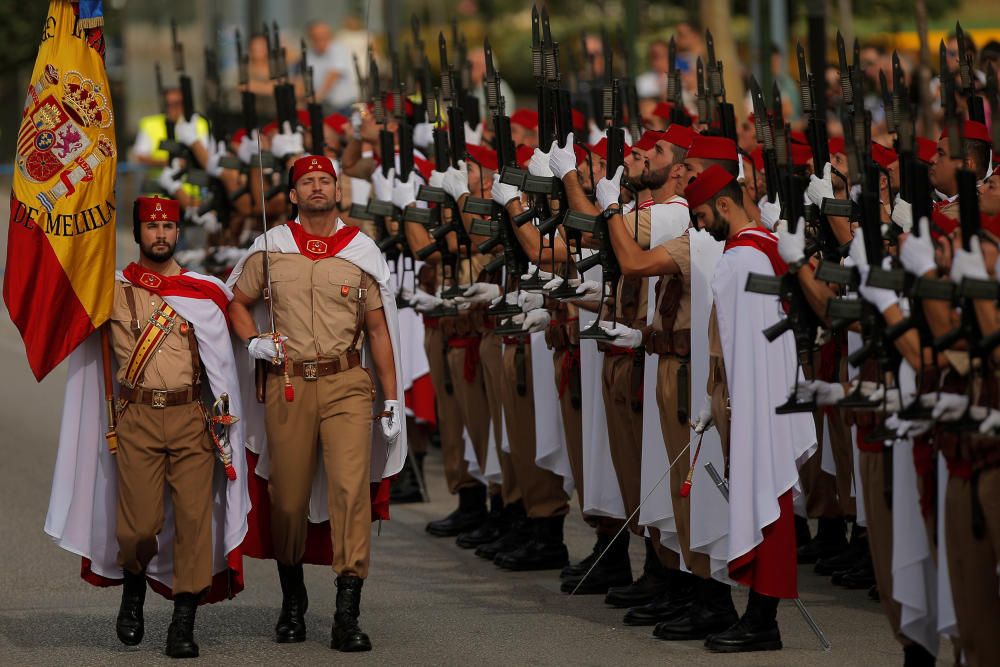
624, 431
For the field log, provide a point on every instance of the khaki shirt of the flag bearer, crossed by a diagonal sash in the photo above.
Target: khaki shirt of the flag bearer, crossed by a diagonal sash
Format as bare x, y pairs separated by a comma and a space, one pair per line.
170, 368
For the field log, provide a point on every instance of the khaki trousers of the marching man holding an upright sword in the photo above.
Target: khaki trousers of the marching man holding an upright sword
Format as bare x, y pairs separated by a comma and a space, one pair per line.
330, 417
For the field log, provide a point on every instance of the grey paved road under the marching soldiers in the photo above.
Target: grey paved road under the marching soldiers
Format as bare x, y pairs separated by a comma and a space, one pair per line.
427, 602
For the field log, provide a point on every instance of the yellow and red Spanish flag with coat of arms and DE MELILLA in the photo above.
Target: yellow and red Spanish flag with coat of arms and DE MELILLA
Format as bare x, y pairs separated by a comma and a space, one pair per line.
61, 238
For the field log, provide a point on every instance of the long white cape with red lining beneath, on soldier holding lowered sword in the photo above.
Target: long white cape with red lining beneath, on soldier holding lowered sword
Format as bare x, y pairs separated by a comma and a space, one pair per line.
765, 448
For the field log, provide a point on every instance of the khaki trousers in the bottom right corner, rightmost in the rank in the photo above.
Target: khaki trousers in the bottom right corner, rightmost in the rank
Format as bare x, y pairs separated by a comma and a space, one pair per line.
972, 566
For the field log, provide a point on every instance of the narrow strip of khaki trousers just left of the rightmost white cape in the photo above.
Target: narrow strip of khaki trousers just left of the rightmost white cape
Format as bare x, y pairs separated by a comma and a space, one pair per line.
879, 515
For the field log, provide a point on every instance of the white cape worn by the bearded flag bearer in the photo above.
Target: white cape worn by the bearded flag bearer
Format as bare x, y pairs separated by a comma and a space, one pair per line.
82, 513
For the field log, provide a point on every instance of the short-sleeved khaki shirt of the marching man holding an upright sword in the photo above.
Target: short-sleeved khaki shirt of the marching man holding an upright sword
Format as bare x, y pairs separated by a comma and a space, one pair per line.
315, 302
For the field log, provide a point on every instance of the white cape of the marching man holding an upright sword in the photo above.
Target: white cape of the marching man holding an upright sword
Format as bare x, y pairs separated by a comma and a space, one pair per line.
387, 458
